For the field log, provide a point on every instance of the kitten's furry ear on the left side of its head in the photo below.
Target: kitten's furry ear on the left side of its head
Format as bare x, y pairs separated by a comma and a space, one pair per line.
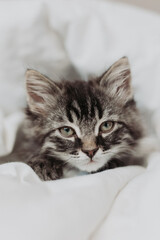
41, 92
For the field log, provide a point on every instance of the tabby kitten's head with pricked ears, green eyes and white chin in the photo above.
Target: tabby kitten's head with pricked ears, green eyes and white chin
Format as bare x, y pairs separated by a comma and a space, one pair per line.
85, 124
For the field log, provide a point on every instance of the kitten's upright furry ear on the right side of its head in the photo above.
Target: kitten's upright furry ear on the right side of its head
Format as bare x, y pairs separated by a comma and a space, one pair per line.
117, 80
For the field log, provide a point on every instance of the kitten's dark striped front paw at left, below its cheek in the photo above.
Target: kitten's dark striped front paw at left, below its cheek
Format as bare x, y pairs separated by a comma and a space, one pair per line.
45, 169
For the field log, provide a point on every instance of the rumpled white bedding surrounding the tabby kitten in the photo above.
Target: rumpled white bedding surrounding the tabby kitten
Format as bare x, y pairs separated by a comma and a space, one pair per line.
49, 36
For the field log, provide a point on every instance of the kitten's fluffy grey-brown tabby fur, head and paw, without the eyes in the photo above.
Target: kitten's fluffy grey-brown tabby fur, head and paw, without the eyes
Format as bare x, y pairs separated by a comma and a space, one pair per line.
82, 106
